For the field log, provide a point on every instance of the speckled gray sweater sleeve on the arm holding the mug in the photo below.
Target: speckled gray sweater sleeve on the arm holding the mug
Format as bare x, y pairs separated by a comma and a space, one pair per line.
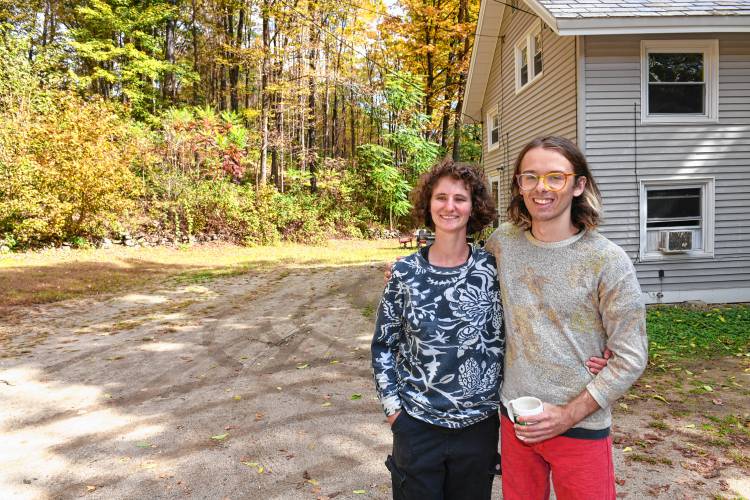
624, 320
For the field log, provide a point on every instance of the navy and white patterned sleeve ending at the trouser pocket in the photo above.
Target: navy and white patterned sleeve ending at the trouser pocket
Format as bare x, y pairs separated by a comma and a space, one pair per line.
385, 344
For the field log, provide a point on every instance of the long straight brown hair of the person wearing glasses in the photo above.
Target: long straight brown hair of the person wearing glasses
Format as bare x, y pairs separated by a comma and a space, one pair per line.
586, 209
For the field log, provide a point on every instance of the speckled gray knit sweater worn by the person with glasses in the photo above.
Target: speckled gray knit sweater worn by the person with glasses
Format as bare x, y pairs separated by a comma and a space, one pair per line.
564, 302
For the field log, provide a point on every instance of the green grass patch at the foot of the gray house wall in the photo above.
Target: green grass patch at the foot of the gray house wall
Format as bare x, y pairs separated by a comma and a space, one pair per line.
677, 333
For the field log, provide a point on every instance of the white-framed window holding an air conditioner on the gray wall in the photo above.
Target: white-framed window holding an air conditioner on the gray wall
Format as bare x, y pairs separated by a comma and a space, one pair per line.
677, 218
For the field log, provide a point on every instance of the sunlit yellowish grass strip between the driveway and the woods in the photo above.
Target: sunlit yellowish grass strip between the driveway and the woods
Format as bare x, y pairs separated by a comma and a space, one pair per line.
55, 275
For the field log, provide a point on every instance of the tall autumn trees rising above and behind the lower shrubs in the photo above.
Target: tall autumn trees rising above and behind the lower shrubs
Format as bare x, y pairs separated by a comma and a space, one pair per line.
308, 76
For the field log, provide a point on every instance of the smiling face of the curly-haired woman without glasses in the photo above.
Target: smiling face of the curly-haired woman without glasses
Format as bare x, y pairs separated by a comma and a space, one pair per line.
450, 206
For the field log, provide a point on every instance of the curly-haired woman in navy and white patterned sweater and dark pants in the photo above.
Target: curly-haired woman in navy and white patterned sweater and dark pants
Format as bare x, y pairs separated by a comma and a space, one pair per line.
439, 346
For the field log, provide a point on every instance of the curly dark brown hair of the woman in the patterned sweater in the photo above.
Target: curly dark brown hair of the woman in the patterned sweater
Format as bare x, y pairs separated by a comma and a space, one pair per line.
483, 209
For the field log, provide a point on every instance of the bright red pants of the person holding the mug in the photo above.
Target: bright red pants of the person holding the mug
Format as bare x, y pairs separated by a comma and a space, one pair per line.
581, 468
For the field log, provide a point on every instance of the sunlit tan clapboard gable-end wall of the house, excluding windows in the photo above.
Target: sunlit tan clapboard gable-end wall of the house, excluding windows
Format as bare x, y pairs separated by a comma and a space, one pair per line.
545, 106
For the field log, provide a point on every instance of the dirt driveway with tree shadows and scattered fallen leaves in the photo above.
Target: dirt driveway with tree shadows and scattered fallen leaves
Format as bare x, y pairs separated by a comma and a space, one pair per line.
255, 386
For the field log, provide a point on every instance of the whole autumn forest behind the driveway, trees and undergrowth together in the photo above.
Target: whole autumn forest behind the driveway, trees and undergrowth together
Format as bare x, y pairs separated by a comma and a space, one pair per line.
247, 120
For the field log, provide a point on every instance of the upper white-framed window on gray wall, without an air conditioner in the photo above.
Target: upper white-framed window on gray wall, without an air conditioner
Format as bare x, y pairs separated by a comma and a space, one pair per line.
679, 80
